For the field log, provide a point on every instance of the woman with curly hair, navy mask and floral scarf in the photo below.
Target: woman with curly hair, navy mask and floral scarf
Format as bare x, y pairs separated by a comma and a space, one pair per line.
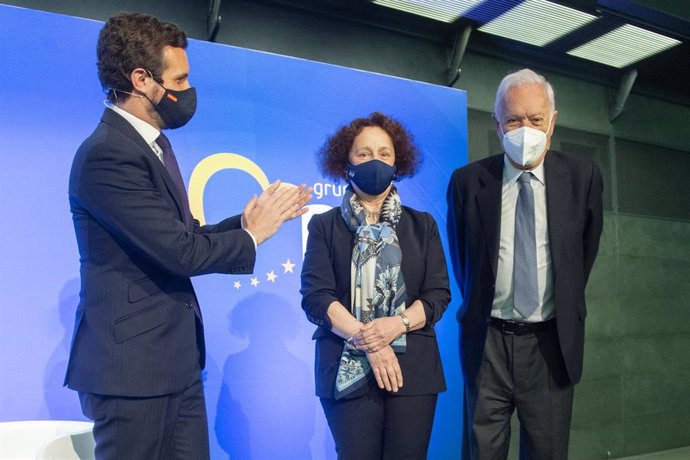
374, 281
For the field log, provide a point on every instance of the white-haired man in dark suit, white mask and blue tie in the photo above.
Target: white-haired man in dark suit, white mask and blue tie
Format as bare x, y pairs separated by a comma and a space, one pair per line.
524, 231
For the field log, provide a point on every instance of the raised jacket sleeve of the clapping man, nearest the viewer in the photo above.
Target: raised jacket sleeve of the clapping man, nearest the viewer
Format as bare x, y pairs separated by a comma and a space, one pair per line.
116, 187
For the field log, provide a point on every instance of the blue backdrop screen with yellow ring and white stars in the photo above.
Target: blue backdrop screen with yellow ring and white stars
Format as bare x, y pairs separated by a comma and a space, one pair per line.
261, 117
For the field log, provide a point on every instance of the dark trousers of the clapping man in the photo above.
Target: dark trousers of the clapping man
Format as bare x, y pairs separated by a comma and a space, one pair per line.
166, 427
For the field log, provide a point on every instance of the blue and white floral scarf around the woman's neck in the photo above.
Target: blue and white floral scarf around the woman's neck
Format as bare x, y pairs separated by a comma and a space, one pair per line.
377, 285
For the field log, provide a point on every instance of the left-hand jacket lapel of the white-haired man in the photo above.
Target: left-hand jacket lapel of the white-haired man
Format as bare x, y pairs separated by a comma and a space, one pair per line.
489, 205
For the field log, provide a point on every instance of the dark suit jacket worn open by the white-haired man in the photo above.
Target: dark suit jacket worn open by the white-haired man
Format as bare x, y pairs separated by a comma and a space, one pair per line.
575, 220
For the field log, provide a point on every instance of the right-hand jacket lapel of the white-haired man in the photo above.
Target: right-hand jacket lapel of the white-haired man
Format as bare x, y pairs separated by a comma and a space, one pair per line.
557, 187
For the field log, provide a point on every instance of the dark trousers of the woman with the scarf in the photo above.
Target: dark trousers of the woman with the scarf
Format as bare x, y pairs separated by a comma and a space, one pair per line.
381, 426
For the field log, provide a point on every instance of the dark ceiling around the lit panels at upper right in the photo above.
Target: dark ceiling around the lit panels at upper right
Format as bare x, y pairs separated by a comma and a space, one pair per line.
665, 75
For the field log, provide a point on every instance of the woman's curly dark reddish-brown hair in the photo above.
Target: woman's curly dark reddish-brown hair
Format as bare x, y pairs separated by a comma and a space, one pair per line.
333, 160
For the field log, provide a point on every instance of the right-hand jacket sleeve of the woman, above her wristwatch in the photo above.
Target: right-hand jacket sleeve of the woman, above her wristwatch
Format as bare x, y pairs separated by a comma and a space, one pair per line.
435, 294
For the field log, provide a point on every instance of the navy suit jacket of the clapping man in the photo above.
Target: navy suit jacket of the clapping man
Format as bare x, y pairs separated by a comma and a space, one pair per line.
138, 330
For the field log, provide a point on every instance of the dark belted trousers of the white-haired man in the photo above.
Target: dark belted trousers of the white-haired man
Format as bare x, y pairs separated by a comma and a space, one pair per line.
523, 372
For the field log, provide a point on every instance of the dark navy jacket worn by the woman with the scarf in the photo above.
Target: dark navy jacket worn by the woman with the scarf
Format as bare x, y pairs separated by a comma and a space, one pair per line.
326, 278
